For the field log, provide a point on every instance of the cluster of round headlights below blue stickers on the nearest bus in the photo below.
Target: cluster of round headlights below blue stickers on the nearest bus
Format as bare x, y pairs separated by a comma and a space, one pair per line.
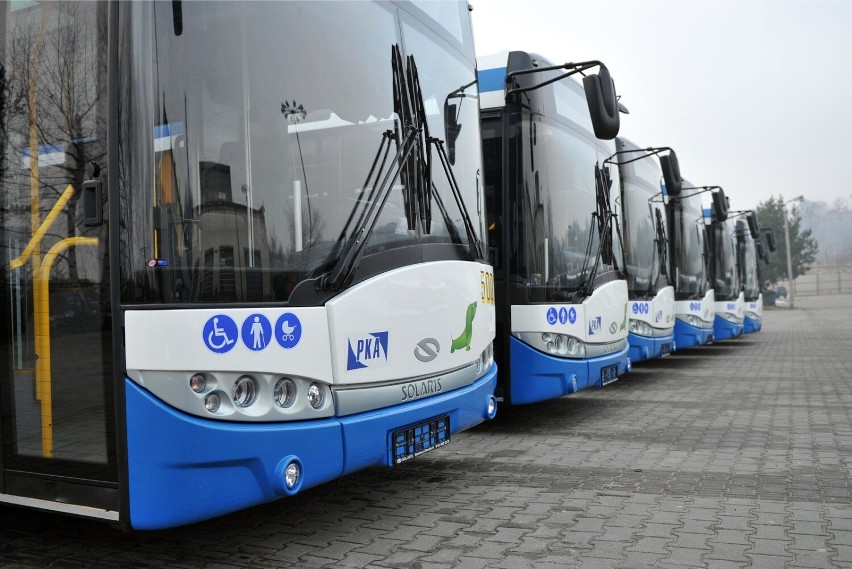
257, 396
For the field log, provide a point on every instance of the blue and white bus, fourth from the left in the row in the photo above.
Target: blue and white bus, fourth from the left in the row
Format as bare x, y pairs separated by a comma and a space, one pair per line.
690, 270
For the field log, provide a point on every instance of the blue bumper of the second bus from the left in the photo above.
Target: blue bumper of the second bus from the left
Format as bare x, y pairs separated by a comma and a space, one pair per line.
536, 376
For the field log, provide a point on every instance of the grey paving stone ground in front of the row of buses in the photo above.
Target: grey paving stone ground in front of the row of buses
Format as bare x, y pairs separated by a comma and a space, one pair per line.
731, 455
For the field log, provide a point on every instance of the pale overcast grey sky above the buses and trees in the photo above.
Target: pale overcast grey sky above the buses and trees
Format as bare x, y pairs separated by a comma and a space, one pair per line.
755, 96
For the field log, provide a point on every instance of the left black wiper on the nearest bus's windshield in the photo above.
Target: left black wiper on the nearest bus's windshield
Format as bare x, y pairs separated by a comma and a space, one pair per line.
352, 248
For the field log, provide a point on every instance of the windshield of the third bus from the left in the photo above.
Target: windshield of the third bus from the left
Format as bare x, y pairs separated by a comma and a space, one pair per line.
642, 247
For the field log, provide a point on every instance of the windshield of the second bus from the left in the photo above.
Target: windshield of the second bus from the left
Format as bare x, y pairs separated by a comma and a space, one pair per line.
557, 238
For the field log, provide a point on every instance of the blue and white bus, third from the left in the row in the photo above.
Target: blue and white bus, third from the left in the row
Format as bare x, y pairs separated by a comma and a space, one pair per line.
644, 188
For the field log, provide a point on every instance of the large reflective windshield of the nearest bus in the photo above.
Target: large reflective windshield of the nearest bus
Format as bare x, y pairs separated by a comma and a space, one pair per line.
247, 150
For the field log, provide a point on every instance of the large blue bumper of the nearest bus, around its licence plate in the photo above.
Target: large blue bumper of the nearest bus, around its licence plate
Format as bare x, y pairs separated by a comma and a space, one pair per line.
183, 469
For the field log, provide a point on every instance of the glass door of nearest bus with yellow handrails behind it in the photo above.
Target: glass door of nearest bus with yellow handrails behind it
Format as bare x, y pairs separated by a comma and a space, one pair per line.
56, 397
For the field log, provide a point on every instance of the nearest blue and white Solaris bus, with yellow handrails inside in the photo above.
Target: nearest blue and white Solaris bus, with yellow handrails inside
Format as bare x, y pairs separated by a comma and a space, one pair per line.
243, 257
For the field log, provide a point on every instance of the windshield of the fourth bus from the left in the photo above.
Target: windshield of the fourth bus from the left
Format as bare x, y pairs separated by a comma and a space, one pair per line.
689, 235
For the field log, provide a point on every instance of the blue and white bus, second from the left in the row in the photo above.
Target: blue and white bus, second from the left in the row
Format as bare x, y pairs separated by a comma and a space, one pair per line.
559, 276
